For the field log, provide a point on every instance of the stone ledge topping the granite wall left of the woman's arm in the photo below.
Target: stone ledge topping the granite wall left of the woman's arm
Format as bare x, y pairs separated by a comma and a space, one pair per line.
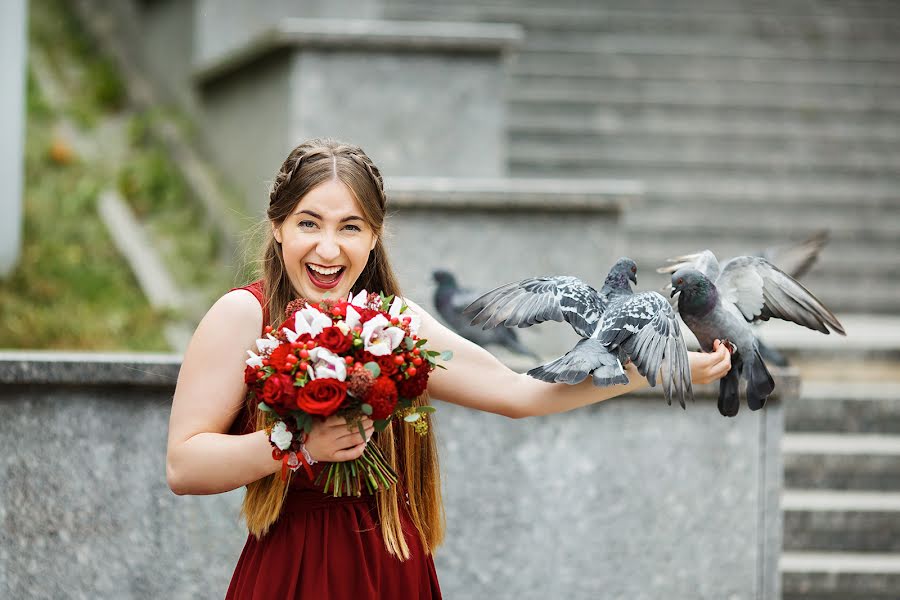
88, 368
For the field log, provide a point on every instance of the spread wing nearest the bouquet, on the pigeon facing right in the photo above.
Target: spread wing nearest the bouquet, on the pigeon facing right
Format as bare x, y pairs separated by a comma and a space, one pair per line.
540, 299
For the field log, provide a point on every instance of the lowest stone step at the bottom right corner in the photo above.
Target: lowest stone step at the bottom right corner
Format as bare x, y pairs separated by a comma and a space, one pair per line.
839, 576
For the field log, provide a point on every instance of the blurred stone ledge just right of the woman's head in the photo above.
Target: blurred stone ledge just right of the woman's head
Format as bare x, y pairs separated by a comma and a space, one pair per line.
513, 194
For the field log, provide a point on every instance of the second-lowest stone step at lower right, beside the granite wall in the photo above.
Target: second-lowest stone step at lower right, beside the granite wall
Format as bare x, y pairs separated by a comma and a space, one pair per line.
846, 521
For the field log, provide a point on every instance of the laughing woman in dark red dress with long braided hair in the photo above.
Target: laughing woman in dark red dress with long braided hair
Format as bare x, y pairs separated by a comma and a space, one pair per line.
326, 211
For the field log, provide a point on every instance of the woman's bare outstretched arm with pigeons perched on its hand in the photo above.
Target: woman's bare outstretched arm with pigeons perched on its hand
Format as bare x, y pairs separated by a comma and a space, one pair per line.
476, 379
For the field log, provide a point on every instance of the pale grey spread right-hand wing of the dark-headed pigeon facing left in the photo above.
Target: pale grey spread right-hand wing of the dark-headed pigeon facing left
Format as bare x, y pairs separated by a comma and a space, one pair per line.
760, 291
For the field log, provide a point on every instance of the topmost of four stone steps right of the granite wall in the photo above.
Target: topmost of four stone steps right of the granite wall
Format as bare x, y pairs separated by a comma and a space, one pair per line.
849, 408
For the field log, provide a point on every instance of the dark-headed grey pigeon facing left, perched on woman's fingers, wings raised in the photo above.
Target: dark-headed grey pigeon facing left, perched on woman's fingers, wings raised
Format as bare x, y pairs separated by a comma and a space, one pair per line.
721, 302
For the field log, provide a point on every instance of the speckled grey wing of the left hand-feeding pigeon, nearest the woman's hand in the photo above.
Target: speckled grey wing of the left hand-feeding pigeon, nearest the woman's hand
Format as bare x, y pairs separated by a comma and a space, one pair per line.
645, 328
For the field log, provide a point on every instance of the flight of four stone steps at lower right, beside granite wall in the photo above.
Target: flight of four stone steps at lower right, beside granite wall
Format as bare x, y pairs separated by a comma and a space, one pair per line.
842, 493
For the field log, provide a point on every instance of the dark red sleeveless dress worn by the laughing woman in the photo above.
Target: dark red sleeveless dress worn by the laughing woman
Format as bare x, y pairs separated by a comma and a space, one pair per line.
326, 548
